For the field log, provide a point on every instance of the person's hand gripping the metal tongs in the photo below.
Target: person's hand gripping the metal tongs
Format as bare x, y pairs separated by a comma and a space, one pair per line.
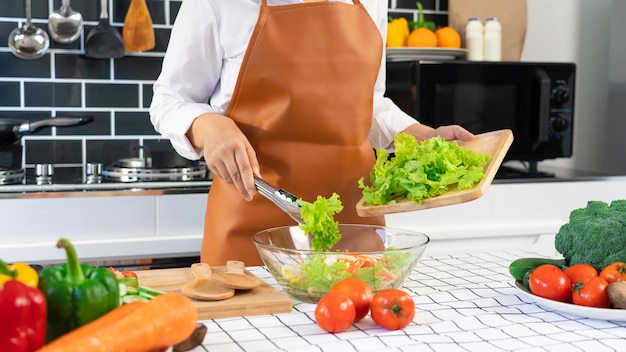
227, 152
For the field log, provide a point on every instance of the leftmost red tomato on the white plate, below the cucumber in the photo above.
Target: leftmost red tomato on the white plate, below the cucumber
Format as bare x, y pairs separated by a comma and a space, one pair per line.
549, 281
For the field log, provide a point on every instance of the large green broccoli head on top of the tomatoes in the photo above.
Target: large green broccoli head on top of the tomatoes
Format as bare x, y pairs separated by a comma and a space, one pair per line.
595, 235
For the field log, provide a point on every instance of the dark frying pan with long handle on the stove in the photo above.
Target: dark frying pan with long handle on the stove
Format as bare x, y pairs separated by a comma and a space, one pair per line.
12, 130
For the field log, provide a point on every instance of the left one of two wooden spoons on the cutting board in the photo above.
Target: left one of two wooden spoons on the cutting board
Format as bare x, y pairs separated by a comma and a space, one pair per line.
203, 287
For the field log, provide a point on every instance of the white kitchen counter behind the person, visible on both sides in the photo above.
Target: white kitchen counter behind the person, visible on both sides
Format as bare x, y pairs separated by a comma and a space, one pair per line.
123, 228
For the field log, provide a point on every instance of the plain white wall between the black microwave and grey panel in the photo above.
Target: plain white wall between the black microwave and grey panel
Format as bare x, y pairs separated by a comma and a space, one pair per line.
577, 31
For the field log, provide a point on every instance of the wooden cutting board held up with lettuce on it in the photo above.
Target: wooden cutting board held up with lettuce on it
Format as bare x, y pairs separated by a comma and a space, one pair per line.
495, 143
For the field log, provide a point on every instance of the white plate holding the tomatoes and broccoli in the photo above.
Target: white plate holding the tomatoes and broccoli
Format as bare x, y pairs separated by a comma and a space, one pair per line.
568, 308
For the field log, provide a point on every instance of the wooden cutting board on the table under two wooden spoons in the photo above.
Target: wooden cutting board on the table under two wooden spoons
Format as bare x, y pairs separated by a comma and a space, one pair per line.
264, 299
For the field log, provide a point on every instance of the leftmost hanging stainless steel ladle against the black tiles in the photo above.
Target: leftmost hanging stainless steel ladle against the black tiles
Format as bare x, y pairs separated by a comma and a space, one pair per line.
29, 42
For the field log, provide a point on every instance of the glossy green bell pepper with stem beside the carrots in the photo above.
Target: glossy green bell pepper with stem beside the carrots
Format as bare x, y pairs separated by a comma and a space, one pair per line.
76, 293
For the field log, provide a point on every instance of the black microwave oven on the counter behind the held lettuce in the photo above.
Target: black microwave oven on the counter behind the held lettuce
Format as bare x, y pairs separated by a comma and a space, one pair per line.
534, 100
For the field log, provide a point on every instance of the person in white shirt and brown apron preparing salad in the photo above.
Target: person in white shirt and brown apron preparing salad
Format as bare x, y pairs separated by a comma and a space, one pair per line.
290, 90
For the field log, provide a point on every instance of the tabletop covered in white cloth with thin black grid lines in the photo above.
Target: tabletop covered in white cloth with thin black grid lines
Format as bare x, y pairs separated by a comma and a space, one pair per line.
464, 302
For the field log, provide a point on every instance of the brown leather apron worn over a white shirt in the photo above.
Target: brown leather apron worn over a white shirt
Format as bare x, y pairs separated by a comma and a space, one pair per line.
304, 98
